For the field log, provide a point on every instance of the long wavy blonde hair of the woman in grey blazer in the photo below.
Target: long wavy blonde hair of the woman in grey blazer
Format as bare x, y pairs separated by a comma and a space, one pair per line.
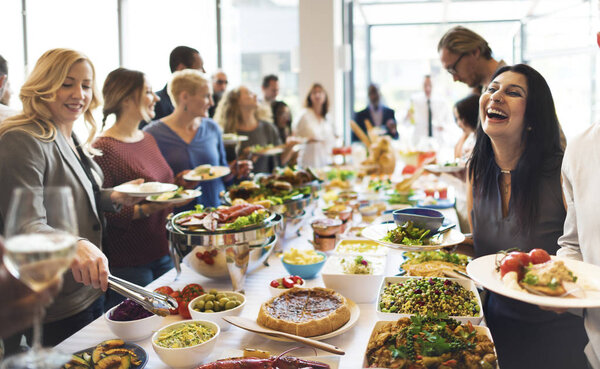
41, 86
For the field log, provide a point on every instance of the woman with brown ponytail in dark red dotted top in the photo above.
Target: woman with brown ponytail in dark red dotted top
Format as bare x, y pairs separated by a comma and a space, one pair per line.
136, 242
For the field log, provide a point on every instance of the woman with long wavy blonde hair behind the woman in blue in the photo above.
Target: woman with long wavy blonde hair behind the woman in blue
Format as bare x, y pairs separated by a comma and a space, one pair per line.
238, 113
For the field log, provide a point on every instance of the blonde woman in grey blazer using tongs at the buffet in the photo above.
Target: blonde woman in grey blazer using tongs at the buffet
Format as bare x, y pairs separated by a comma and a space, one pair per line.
38, 149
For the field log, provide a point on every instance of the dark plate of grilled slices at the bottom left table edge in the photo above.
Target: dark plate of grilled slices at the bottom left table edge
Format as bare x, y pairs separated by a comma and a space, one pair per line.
110, 353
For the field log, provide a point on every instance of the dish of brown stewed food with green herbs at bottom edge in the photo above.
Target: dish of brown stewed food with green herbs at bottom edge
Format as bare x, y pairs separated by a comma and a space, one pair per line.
436, 343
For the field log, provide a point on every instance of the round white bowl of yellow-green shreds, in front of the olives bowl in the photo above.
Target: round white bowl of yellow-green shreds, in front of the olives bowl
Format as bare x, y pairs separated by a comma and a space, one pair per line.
185, 357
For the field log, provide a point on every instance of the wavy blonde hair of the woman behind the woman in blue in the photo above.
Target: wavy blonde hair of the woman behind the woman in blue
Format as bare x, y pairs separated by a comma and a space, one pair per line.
229, 112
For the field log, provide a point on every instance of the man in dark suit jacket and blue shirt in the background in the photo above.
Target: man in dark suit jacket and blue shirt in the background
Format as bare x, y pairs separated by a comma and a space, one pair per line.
378, 114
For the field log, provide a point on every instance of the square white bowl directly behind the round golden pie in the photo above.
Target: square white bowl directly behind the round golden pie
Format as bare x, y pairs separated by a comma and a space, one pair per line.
360, 288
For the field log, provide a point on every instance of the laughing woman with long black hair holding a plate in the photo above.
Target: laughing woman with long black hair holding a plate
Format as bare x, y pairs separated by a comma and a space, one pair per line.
515, 200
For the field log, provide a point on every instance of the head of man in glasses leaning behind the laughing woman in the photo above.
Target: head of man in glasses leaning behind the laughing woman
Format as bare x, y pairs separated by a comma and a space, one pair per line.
468, 58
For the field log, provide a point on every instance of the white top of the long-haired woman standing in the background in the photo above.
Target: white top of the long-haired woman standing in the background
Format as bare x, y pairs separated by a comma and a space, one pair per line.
315, 154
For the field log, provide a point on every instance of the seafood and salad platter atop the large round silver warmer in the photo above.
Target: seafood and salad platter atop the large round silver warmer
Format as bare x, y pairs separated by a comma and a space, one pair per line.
224, 218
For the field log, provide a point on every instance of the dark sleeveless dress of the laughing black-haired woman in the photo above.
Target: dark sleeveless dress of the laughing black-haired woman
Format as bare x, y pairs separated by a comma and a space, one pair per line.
526, 336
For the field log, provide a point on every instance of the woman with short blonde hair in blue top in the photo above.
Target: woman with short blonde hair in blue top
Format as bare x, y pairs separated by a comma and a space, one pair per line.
188, 138
